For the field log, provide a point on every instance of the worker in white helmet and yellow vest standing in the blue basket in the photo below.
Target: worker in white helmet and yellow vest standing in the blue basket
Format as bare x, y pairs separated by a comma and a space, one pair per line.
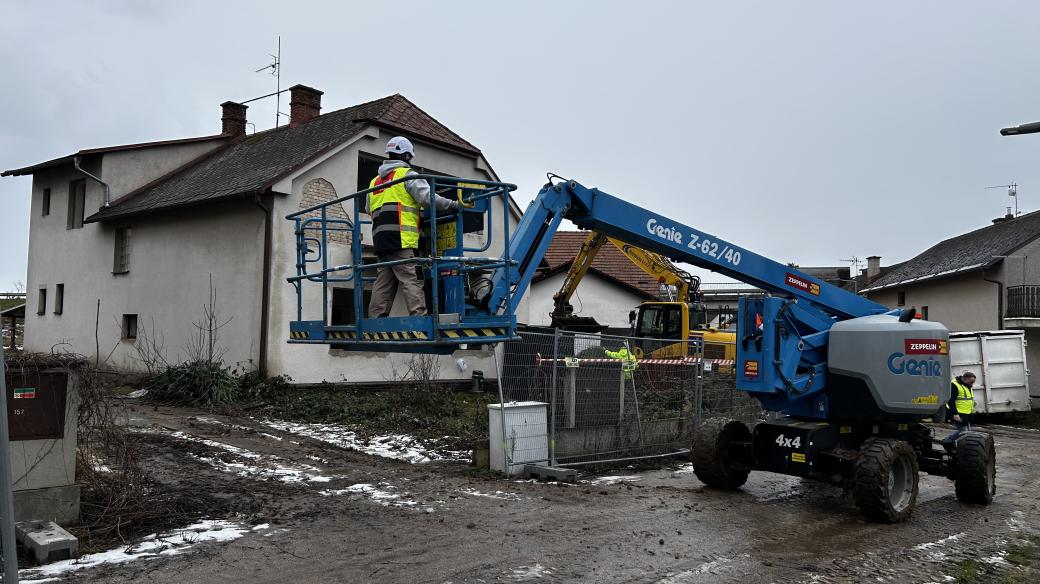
396, 230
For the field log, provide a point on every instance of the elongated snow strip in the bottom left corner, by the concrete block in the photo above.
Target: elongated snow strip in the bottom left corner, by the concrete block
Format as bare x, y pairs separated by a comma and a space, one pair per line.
151, 547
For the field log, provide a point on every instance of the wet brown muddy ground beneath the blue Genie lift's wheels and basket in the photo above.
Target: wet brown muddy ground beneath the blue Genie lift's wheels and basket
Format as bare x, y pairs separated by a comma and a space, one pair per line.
444, 523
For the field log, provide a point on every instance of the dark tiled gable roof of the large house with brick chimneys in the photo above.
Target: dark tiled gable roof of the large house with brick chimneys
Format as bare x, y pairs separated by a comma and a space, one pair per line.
252, 165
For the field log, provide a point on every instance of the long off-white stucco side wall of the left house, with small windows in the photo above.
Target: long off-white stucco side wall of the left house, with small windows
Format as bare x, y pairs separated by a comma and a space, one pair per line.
172, 256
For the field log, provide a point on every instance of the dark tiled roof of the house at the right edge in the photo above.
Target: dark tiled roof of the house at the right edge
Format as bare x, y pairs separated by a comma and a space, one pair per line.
975, 251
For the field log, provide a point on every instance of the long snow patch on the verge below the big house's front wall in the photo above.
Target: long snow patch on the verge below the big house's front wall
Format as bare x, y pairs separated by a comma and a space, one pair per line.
398, 447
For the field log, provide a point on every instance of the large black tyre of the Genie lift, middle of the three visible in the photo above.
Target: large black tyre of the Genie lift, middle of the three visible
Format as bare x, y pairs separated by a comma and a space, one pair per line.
886, 480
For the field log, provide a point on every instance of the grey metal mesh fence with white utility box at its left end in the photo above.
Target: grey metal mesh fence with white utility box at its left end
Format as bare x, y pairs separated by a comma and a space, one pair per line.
609, 399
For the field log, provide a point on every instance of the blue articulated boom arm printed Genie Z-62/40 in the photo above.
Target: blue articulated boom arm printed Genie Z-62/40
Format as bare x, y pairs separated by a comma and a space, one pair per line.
783, 339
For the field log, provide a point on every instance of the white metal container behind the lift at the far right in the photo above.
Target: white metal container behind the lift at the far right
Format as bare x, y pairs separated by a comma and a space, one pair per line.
998, 359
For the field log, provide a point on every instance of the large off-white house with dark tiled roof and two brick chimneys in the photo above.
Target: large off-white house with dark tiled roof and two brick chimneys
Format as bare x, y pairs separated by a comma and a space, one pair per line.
200, 223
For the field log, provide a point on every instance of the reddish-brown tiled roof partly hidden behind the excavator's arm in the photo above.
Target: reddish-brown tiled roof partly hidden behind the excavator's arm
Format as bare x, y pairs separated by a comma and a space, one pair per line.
610, 263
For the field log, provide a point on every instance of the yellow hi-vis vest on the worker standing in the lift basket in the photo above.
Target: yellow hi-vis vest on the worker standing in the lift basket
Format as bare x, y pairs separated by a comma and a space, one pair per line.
396, 215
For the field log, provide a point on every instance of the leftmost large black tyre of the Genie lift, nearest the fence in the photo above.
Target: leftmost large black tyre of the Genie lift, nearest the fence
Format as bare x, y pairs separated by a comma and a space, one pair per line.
718, 462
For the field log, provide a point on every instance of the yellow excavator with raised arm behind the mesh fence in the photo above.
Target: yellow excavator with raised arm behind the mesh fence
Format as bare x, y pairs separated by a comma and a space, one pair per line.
682, 317
